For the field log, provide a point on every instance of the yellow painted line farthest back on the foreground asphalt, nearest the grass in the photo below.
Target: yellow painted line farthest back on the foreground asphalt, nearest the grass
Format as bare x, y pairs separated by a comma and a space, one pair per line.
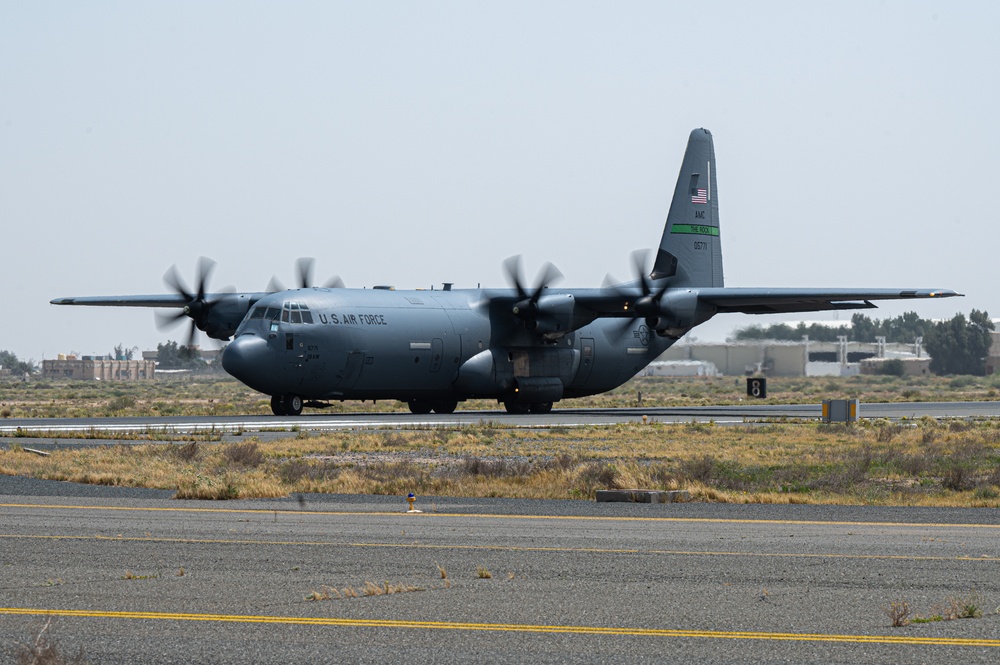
426, 515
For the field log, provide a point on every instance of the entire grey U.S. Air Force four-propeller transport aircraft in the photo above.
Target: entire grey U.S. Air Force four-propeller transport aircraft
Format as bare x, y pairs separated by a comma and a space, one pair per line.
525, 347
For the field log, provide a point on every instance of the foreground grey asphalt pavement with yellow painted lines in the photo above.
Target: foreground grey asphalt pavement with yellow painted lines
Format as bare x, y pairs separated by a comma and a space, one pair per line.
136, 579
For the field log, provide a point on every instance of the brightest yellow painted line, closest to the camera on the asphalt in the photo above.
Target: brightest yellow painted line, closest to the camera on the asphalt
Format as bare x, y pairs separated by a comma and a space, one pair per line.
510, 627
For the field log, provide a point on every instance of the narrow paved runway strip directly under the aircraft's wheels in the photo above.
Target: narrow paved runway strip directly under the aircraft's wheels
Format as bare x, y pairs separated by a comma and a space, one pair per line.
319, 421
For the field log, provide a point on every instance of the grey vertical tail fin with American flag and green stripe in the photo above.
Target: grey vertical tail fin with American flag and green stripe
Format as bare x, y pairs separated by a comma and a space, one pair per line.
690, 253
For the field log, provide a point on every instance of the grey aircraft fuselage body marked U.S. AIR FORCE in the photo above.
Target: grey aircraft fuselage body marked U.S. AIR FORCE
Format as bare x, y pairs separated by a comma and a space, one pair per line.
425, 345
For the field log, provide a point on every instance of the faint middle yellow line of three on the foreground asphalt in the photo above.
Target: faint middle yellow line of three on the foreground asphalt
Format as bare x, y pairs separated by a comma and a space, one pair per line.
494, 548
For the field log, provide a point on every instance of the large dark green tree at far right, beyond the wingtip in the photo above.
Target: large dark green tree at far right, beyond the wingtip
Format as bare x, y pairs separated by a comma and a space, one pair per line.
960, 346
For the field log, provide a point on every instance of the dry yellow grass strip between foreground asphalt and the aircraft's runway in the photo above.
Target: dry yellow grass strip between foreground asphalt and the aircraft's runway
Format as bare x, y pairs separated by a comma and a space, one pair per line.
924, 462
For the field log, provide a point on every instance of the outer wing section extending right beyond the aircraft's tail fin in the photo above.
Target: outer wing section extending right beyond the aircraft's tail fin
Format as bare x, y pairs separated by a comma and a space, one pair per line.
774, 301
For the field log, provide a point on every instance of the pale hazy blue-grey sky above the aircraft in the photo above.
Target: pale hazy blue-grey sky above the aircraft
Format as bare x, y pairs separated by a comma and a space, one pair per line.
413, 143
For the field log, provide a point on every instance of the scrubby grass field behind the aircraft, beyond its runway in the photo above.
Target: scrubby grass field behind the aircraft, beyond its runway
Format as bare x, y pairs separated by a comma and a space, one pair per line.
220, 395
